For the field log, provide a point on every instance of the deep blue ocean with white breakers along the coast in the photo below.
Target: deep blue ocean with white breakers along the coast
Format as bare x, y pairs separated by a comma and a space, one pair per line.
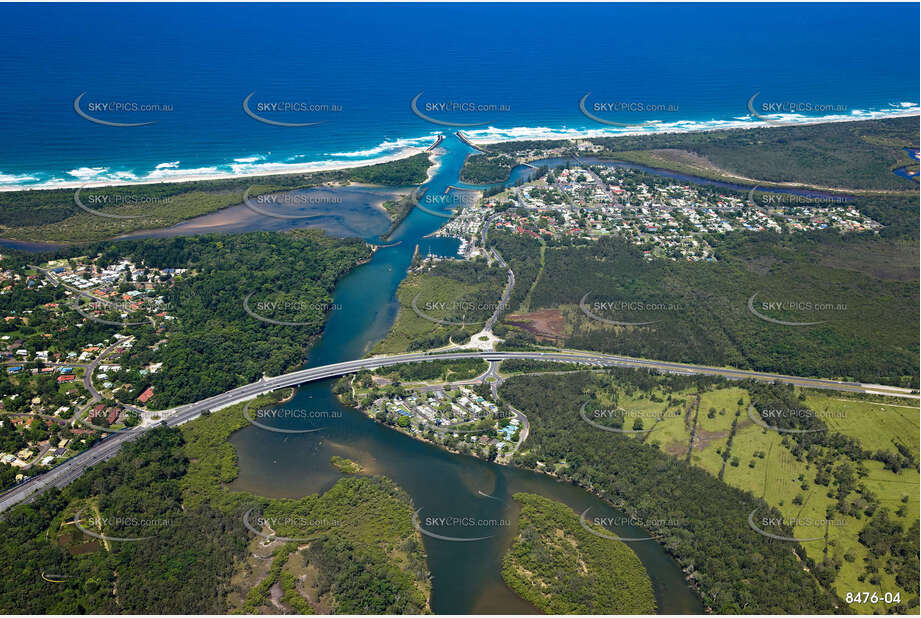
688, 66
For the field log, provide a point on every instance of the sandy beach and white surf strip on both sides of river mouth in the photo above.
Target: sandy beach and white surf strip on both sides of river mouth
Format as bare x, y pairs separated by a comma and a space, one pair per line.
284, 169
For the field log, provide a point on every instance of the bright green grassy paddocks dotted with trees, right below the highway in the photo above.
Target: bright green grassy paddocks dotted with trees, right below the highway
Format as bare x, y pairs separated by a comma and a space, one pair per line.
788, 482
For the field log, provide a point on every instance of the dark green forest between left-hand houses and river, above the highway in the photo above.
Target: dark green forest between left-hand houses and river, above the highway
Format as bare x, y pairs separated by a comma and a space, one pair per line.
216, 345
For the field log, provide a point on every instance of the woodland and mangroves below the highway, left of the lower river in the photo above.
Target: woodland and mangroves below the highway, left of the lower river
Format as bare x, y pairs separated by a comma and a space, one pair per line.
166, 490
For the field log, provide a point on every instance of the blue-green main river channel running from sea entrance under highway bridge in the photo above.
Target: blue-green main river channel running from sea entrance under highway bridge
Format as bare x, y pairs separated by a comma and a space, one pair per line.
466, 570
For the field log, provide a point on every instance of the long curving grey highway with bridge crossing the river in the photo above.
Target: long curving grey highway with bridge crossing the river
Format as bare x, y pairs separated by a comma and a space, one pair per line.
66, 472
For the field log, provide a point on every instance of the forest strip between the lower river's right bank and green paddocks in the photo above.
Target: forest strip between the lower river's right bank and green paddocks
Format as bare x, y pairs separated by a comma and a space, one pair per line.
735, 569
